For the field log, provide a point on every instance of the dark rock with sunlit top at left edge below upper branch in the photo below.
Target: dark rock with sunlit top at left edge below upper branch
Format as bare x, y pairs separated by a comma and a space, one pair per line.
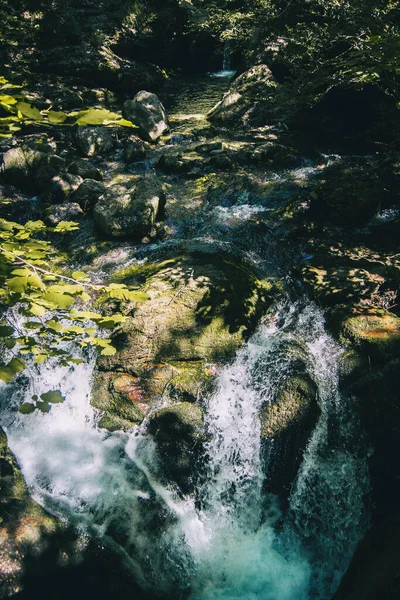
29, 169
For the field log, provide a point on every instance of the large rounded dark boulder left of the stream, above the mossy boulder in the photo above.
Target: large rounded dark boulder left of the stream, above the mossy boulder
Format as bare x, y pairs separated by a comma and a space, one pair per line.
130, 213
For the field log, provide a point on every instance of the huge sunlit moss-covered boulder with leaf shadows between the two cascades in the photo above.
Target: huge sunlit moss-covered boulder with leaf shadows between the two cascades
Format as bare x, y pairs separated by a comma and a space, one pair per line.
201, 308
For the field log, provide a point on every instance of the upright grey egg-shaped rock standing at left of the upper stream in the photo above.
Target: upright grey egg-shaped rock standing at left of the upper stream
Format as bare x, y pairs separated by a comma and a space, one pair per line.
147, 112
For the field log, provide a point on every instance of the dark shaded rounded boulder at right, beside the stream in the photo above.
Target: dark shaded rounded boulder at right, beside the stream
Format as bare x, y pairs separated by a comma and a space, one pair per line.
347, 195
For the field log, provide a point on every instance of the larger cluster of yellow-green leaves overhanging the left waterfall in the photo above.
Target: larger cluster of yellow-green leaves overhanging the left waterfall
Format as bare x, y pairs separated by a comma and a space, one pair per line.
43, 308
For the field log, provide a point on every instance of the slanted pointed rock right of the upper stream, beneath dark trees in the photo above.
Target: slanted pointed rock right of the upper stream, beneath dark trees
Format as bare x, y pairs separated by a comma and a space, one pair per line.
249, 98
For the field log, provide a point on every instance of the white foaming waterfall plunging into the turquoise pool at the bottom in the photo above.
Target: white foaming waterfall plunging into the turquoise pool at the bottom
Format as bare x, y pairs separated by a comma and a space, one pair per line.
231, 540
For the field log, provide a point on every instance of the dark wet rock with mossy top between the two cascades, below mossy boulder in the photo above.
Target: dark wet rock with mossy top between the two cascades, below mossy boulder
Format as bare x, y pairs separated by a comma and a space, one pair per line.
179, 433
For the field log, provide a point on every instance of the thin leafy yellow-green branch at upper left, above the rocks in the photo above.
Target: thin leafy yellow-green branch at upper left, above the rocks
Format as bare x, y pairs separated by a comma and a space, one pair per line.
18, 112
